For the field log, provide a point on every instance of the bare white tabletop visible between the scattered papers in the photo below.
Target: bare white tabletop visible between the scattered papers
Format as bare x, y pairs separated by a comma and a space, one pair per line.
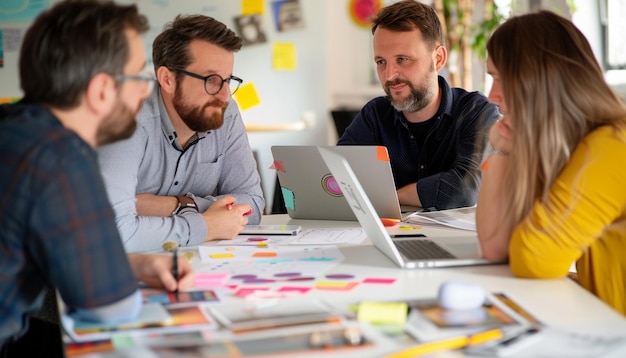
557, 303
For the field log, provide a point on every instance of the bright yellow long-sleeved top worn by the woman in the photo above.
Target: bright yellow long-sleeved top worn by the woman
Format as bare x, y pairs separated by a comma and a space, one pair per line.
584, 222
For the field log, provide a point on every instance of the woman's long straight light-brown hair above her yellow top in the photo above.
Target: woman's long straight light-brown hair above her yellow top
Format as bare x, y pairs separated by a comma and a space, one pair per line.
555, 94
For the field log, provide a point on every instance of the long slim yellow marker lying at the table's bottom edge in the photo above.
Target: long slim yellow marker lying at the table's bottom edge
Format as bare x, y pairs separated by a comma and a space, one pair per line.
448, 344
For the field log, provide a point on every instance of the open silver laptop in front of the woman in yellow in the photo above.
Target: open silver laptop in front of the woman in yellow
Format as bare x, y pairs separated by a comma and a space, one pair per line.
414, 252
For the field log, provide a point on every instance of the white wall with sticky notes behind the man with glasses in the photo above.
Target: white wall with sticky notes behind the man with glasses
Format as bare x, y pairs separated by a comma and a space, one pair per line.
286, 96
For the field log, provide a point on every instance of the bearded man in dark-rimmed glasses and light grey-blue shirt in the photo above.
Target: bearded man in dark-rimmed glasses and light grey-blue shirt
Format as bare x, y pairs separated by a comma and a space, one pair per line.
188, 174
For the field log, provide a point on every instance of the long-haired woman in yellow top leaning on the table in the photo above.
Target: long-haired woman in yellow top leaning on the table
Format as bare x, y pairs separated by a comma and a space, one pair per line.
554, 184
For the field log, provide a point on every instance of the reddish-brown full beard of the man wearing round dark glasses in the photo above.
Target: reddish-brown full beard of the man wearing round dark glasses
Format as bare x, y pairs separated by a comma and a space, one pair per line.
197, 118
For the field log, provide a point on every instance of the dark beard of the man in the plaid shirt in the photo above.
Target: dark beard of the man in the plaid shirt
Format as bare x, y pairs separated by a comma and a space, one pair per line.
117, 125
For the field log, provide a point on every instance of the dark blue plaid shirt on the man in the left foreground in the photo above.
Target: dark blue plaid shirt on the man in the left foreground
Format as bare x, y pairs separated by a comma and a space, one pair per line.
56, 223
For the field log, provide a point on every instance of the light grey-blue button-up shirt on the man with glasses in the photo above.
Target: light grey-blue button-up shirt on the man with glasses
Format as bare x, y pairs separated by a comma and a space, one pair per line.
220, 162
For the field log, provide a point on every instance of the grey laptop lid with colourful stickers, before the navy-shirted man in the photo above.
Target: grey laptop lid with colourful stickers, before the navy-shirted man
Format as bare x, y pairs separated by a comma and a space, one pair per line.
311, 192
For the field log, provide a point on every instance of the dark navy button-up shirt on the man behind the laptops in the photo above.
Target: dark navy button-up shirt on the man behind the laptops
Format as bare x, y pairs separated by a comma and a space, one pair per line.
446, 166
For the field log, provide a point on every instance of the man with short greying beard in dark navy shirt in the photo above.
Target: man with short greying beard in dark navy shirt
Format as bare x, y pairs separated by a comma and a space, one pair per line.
435, 134
